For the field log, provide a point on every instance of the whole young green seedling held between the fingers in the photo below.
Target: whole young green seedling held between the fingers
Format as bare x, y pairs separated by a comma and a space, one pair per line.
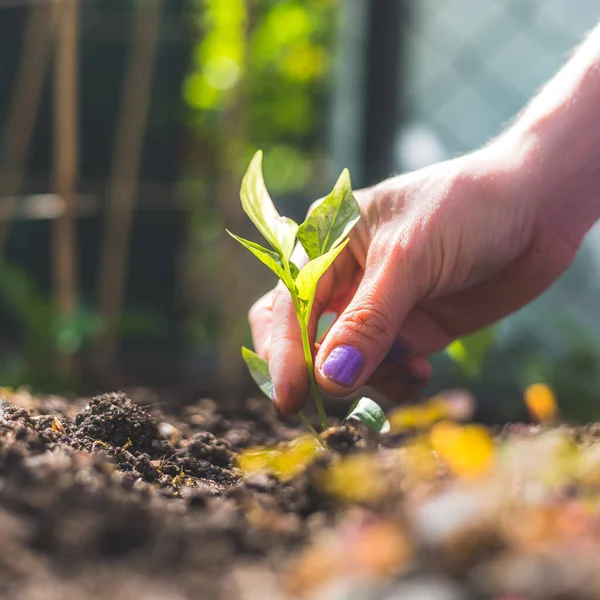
323, 235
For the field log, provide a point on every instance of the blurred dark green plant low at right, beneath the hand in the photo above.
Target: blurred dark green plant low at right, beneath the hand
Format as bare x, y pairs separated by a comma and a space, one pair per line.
497, 374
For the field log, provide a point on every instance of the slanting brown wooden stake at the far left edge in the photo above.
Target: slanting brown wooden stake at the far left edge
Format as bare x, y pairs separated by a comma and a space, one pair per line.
25, 100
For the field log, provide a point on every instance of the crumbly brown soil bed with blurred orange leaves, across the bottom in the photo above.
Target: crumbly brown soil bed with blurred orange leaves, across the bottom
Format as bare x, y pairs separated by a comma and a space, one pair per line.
121, 497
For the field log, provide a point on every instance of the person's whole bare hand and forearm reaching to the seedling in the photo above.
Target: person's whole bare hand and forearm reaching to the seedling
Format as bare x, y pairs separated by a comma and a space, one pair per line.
444, 251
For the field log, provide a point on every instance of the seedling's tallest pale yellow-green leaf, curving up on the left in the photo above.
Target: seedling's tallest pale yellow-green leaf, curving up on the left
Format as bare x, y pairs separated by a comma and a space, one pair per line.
279, 231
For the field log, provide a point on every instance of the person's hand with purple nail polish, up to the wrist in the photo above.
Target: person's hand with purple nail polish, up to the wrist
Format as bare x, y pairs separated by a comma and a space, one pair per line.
436, 255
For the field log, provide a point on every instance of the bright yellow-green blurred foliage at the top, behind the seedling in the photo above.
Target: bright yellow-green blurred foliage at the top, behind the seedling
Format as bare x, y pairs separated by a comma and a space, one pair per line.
279, 53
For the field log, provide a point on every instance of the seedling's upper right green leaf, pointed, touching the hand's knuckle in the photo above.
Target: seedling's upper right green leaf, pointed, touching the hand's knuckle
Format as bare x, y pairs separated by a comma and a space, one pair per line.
331, 221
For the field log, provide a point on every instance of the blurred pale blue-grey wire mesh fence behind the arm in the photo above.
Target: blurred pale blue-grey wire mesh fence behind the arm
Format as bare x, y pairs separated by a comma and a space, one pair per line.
470, 67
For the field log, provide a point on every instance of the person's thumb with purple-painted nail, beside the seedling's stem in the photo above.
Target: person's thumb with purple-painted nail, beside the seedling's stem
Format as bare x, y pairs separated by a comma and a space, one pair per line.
364, 332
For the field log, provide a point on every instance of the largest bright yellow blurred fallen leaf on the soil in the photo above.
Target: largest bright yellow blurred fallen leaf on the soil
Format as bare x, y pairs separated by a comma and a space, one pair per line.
467, 450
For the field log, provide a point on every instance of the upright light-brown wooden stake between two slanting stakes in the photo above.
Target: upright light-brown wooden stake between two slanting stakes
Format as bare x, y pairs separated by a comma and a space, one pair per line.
66, 116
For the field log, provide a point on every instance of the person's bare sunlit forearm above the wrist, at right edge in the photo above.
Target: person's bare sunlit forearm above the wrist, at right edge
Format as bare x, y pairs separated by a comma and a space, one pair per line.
557, 140
